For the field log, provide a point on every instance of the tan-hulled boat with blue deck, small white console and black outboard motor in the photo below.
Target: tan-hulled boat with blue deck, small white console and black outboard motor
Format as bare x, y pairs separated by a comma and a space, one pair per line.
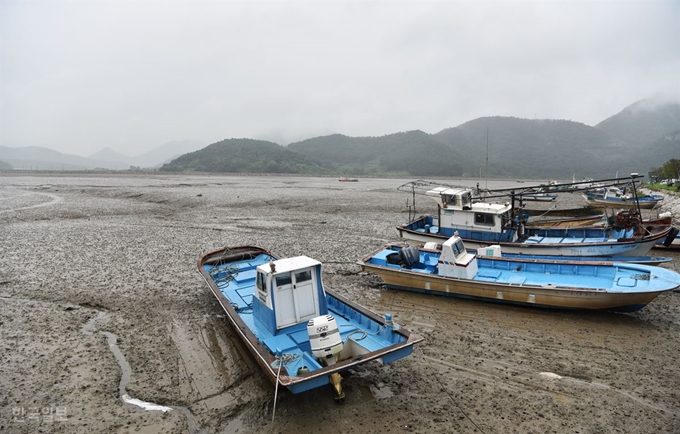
454, 271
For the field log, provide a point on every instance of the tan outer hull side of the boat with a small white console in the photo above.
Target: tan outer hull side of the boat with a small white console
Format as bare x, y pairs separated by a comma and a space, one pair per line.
517, 295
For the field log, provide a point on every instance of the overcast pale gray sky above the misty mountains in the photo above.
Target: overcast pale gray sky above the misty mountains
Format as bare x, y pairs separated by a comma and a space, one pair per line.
82, 75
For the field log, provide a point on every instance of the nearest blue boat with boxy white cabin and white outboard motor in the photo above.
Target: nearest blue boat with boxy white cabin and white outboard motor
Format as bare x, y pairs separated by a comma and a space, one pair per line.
302, 334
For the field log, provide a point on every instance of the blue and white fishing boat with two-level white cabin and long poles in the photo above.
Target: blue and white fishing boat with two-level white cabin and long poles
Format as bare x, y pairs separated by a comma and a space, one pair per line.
482, 223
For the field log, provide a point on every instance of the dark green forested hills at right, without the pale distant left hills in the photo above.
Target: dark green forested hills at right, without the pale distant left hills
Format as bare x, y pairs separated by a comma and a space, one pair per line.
517, 148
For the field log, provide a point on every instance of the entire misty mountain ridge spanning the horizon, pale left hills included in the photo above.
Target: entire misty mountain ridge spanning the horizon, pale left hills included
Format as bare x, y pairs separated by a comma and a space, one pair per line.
516, 147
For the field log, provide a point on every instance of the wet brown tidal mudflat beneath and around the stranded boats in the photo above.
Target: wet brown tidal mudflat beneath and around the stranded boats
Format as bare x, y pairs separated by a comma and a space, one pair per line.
100, 298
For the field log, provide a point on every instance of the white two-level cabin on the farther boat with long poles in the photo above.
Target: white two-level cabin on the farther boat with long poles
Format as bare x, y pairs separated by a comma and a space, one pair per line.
457, 210
